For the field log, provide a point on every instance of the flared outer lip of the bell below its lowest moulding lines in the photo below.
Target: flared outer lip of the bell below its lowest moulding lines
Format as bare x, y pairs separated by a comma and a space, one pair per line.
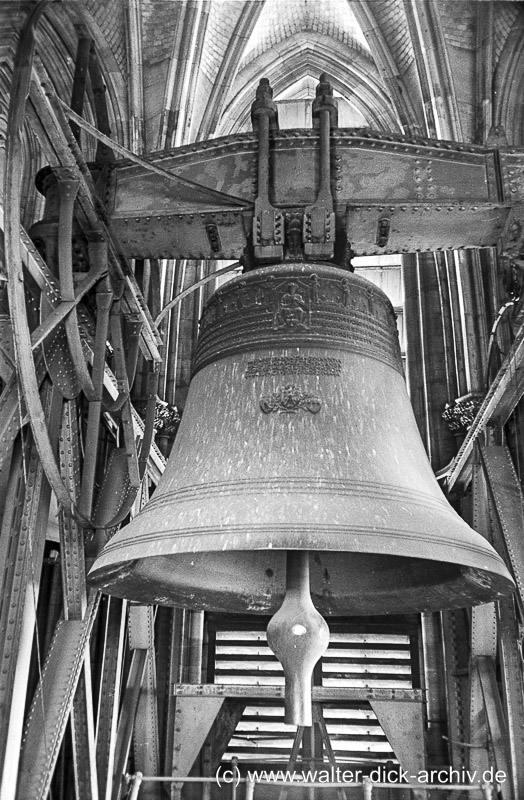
357, 543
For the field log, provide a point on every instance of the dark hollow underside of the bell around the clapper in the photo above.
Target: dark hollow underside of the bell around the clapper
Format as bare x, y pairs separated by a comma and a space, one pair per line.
370, 584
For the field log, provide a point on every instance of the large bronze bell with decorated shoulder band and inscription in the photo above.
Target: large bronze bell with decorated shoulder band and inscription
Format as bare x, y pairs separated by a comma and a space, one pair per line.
298, 434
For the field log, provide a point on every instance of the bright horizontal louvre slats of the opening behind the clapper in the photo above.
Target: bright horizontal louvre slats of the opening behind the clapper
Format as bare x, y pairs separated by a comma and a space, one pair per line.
353, 660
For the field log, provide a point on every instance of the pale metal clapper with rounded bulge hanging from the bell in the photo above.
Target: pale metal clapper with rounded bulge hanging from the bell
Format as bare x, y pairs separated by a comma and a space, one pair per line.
298, 635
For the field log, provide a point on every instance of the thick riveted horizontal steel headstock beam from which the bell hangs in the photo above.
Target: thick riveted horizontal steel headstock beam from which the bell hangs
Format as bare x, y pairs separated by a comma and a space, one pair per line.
432, 194
